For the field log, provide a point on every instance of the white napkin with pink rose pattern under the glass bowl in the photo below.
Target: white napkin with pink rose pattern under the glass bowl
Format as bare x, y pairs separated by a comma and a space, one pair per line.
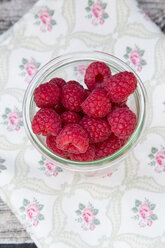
61, 208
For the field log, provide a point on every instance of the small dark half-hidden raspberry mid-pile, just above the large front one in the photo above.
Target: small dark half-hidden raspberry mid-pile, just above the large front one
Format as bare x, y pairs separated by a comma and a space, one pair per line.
69, 117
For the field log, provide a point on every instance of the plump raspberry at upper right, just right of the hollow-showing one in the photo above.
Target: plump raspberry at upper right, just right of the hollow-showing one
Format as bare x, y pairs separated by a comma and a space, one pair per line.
120, 86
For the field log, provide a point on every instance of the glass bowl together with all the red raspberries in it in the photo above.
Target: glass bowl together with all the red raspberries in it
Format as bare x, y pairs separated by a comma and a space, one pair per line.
85, 111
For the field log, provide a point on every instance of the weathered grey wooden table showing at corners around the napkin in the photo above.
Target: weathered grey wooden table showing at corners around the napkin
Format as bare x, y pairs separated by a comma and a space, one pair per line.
10, 11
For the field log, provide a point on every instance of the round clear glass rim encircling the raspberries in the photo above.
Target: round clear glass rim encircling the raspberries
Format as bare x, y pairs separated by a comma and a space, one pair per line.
96, 164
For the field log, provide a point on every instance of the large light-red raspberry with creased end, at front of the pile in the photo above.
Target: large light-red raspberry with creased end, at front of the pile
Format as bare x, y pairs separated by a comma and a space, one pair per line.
73, 138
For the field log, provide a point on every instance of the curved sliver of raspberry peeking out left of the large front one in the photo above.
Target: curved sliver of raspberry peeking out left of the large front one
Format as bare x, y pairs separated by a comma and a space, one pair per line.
51, 143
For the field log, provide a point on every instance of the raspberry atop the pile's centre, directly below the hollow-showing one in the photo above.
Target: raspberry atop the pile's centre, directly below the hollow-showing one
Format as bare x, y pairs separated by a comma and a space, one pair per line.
97, 104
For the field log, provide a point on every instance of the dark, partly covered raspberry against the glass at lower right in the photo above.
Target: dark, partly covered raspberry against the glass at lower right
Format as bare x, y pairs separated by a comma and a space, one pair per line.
108, 147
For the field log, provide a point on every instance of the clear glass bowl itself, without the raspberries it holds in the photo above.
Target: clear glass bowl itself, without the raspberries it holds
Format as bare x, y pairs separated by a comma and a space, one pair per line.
71, 67
